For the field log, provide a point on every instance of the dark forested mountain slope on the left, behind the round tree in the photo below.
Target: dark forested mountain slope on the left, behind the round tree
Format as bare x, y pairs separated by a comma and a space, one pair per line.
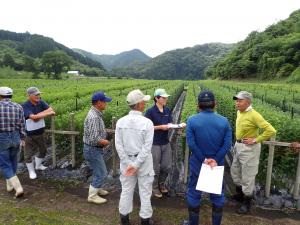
17, 50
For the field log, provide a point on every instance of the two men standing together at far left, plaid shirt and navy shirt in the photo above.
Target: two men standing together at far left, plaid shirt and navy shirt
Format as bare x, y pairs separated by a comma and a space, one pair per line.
22, 126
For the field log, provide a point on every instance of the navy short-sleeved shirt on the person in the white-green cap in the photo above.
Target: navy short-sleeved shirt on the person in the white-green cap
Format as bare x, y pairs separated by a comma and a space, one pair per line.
161, 137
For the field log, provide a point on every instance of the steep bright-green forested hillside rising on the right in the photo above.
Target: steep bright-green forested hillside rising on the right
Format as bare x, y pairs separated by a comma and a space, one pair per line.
273, 53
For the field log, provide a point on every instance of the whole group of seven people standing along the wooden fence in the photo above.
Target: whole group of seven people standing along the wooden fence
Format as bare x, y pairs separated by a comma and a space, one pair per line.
142, 143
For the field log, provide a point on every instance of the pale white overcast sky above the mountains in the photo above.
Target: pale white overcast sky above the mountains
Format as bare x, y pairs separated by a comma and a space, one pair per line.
153, 26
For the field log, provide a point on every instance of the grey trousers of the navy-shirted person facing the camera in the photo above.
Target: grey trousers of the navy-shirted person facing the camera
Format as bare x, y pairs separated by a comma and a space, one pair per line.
162, 162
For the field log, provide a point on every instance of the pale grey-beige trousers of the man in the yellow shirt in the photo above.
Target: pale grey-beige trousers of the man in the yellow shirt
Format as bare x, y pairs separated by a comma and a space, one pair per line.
244, 166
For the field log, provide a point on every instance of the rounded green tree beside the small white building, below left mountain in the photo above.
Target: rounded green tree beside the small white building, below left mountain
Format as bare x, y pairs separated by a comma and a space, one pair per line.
54, 62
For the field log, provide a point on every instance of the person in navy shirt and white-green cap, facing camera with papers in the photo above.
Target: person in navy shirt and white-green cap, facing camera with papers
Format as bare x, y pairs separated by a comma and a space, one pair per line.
160, 115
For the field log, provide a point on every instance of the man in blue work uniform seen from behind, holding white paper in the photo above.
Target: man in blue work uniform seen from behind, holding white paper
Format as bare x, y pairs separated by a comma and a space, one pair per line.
209, 139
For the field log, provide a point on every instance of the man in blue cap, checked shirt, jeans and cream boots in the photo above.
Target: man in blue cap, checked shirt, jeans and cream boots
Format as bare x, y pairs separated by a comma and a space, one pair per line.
95, 140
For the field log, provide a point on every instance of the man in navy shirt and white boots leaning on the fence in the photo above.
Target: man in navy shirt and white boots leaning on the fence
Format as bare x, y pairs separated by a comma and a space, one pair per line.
35, 110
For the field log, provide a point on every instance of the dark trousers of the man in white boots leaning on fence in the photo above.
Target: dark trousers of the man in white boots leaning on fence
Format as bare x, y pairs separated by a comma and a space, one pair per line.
33, 144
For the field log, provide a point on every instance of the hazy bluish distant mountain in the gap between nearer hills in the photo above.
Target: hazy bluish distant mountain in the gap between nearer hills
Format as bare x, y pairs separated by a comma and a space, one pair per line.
124, 59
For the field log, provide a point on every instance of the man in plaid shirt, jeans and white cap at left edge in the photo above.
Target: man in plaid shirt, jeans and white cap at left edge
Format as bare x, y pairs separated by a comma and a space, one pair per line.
12, 135
